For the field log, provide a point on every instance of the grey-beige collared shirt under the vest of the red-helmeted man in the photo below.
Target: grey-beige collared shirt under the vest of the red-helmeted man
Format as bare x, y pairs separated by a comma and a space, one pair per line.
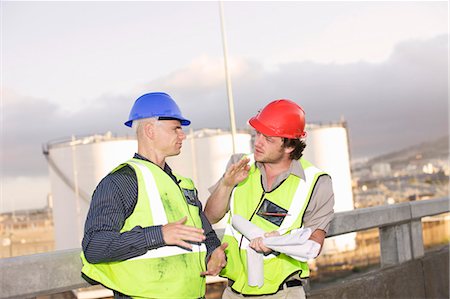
319, 212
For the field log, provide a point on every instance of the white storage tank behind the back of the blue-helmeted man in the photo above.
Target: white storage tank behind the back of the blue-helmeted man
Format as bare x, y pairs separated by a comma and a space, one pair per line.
75, 168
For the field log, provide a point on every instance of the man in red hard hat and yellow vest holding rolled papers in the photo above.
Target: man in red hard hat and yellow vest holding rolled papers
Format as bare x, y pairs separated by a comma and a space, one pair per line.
279, 208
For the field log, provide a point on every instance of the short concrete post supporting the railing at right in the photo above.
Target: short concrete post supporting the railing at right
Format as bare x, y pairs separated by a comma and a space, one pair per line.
395, 244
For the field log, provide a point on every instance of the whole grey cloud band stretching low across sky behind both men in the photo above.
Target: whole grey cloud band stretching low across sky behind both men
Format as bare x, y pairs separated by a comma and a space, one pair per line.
388, 106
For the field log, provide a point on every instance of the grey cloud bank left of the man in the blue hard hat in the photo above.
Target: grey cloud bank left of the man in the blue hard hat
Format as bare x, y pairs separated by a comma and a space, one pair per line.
28, 124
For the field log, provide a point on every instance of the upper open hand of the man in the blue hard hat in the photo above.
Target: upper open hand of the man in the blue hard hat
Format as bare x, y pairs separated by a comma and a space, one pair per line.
176, 233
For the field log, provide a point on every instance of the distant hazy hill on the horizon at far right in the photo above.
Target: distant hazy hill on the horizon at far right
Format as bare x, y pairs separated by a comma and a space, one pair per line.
437, 149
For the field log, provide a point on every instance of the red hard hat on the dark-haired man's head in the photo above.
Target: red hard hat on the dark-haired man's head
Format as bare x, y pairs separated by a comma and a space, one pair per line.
282, 118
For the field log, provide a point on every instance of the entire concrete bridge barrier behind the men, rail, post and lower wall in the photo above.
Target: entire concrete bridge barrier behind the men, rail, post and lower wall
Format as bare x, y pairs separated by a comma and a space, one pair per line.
59, 271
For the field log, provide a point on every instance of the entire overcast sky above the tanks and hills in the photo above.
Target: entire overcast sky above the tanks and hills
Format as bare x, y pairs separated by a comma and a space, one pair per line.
75, 68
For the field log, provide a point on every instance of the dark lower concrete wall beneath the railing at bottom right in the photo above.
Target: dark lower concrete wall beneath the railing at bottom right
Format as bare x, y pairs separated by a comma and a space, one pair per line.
427, 277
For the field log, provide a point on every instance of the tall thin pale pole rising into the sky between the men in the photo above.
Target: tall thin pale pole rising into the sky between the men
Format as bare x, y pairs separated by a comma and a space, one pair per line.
228, 80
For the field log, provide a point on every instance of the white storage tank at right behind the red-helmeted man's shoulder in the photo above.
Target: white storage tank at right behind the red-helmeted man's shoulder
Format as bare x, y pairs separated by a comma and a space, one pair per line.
327, 147
